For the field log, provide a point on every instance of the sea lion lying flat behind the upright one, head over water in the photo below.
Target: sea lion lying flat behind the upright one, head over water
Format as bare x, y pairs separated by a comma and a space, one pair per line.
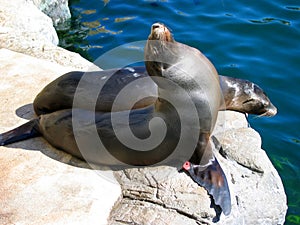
239, 95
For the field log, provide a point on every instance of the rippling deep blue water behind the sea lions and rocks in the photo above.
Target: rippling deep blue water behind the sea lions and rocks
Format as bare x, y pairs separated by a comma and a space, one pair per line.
256, 40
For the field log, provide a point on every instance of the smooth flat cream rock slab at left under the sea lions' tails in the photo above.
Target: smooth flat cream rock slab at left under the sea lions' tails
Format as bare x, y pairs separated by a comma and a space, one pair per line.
39, 184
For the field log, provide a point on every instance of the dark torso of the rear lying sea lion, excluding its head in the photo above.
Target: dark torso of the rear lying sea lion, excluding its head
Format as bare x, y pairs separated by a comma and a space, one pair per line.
59, 94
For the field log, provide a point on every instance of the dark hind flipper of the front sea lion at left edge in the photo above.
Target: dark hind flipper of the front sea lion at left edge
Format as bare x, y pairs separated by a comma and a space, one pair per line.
25, 131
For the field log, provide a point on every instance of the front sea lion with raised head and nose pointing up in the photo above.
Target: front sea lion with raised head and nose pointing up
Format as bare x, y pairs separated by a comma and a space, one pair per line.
72, 129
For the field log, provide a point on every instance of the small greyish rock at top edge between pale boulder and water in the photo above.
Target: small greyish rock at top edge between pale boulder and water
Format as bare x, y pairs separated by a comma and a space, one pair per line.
57, 10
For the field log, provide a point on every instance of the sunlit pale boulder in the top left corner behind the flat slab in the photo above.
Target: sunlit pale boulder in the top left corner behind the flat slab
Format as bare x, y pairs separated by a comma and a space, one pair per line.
24, 28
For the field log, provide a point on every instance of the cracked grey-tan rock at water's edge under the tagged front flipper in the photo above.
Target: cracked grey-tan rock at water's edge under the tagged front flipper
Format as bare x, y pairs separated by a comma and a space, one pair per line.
162, 195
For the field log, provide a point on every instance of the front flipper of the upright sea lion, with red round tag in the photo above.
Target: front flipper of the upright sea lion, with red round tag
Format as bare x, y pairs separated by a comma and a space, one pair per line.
213, 179
